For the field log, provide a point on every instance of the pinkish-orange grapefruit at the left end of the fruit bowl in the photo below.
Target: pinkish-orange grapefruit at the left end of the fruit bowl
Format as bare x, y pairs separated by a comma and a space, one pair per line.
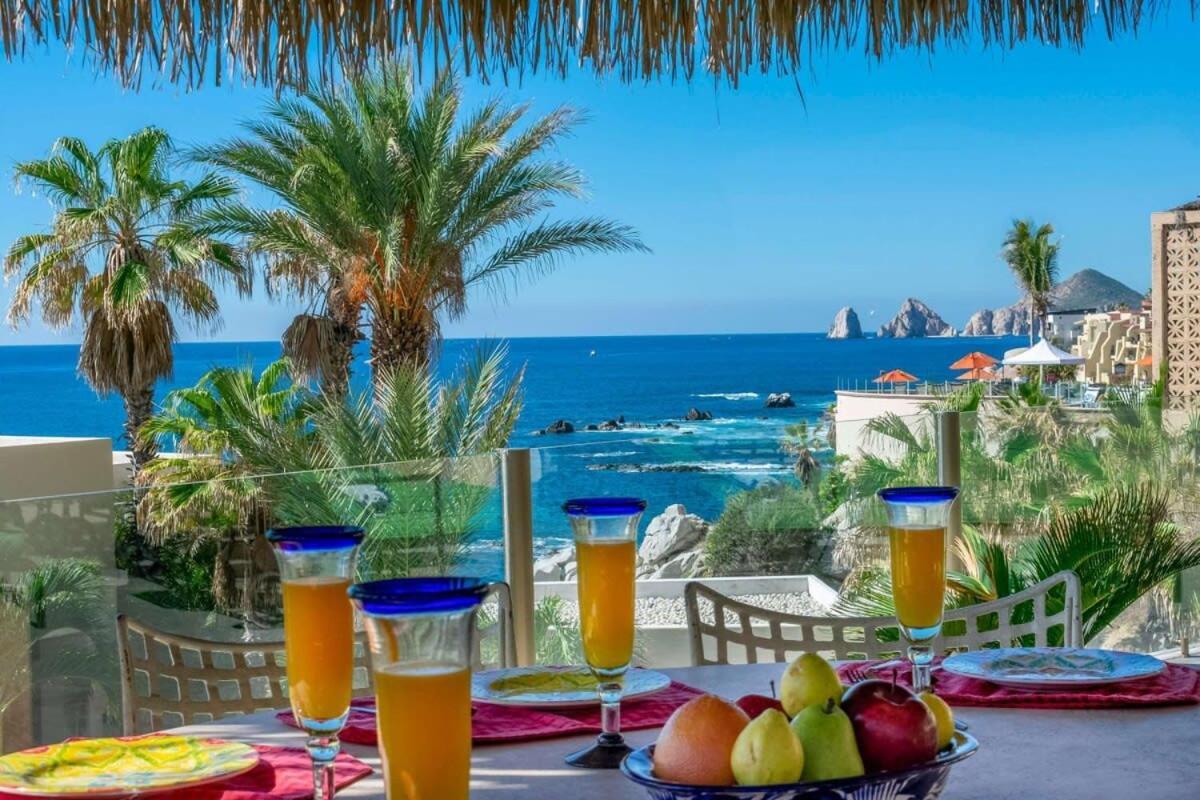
697, 743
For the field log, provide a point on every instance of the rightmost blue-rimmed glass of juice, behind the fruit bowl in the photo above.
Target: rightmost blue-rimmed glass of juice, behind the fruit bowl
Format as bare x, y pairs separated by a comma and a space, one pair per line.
917, 524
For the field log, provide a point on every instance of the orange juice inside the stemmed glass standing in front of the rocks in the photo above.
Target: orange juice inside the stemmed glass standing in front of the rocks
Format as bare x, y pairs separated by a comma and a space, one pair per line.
607, 601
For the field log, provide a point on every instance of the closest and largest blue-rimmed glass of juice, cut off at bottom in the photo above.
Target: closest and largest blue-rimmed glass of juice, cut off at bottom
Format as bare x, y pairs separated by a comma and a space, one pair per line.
421, 633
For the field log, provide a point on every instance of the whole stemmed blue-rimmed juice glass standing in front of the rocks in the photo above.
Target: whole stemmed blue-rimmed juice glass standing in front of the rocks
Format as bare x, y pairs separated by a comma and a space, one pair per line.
607, 558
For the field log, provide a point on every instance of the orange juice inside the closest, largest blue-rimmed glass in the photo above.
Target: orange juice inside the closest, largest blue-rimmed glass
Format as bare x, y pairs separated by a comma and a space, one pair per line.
424, 724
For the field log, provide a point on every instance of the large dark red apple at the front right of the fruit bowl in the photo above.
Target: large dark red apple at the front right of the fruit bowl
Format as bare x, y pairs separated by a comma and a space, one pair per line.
895, 730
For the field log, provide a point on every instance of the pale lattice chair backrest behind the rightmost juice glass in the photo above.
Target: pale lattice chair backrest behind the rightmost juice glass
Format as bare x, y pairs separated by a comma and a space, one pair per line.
723, 630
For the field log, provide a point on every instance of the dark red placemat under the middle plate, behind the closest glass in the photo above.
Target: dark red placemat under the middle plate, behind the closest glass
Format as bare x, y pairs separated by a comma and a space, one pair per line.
505, 724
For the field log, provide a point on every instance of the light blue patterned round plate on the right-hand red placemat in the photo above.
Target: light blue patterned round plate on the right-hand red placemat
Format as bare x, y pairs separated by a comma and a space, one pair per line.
1053, 667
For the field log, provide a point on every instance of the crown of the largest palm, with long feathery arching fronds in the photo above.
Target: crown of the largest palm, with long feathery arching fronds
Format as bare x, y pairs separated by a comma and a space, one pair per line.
394, 206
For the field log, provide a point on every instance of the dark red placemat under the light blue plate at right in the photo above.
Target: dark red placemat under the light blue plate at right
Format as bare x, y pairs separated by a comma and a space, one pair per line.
1174, 687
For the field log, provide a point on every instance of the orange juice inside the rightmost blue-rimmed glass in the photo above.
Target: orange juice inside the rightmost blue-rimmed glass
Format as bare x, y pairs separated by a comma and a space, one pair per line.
919, 575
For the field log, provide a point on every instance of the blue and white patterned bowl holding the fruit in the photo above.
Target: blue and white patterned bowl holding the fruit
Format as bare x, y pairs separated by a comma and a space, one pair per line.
923, 783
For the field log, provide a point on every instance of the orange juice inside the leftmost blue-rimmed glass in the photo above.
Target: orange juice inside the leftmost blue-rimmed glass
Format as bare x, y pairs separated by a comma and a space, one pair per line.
319, 637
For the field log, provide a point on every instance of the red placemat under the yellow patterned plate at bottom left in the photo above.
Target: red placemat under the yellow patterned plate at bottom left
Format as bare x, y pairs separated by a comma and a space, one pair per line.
281, 774
